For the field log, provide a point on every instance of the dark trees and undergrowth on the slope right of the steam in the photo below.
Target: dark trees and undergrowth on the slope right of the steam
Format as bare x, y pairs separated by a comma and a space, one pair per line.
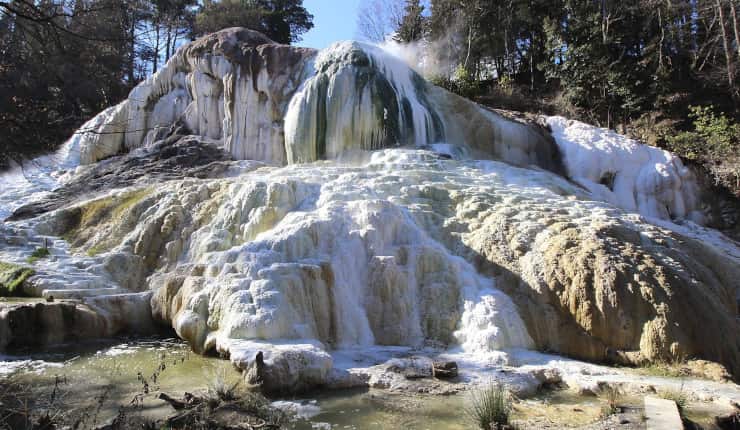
665, 71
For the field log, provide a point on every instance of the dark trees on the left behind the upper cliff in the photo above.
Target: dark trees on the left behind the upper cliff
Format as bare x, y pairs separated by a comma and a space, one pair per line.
62, 61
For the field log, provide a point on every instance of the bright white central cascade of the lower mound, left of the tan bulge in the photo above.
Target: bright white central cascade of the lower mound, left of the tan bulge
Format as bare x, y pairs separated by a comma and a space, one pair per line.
321, 253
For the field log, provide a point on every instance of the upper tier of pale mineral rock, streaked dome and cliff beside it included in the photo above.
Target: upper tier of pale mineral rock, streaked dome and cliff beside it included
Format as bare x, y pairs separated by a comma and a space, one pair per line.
280, 104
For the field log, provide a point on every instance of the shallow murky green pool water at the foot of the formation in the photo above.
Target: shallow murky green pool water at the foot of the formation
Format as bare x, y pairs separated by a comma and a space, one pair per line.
106, 376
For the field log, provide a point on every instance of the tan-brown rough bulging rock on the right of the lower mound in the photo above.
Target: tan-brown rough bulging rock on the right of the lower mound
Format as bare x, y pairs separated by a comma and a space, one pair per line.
607, 290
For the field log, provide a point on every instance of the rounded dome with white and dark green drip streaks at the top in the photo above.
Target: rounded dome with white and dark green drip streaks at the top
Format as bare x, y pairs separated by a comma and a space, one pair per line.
360, 98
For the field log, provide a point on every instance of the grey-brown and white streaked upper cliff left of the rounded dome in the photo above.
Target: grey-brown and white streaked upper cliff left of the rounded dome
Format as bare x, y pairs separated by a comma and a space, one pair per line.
232, 86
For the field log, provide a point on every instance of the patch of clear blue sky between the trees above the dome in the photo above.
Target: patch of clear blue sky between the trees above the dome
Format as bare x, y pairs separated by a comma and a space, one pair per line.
333, 20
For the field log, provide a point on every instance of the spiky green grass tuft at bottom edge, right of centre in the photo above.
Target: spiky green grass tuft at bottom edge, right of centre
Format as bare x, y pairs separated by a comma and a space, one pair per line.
490, 407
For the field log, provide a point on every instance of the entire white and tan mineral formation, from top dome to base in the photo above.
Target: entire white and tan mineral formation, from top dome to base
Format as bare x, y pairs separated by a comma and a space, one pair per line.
430, 244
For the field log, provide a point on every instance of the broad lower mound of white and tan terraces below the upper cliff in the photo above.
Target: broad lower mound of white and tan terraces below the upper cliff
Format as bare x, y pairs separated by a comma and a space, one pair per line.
352, 257
